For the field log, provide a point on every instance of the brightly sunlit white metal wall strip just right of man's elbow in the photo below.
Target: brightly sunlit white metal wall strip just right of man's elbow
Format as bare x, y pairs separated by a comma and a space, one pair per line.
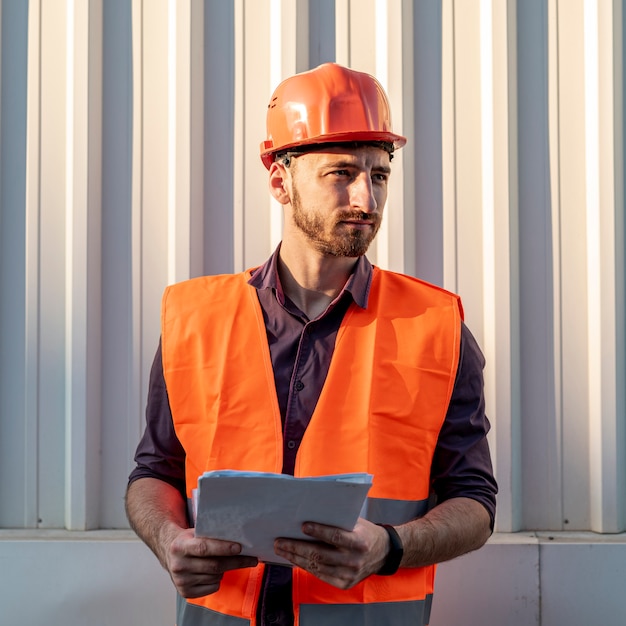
501, 256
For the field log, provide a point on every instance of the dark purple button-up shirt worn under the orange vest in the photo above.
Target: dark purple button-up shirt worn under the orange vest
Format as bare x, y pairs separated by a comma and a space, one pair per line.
301, 350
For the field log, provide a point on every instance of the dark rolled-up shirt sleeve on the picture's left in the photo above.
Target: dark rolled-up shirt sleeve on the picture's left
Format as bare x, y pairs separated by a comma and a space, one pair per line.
159, 453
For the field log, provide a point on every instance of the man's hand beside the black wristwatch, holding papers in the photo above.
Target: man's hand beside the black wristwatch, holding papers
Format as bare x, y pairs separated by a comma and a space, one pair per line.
339, 557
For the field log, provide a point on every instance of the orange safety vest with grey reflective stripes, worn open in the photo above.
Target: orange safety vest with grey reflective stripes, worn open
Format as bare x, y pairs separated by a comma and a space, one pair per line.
380, 411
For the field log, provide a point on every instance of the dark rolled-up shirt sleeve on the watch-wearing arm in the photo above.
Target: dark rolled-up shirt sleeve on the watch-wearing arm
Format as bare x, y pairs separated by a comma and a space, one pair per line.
462, 461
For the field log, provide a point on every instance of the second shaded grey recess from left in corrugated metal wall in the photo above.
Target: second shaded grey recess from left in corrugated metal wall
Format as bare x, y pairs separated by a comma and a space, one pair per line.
122, 398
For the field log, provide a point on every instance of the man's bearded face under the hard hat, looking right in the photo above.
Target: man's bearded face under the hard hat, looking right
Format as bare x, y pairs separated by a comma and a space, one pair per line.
337, 198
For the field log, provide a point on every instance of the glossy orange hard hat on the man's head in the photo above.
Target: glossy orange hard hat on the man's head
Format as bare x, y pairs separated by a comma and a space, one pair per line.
328, 104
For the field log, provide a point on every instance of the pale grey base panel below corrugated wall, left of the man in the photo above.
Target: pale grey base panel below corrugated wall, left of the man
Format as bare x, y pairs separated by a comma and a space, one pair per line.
78, 579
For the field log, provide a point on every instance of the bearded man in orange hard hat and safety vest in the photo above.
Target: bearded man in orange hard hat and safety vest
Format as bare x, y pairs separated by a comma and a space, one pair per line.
318, 363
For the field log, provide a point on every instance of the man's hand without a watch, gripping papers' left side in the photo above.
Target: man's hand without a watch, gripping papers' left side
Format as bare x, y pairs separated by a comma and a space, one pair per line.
196, 565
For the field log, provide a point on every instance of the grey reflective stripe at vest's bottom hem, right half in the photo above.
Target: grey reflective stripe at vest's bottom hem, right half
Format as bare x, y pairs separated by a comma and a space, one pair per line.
413, 613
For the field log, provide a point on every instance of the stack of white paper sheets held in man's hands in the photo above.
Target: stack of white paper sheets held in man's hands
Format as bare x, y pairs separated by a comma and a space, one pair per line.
254, 508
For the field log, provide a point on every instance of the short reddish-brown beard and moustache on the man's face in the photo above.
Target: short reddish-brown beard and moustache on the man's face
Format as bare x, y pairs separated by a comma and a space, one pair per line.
331, 237
